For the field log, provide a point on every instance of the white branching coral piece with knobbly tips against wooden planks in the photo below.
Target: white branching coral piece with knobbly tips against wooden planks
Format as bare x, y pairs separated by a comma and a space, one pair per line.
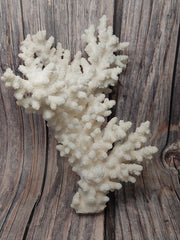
71, 96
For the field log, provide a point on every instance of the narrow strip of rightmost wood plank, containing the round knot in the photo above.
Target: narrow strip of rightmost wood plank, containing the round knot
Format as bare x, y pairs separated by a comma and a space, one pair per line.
171, 154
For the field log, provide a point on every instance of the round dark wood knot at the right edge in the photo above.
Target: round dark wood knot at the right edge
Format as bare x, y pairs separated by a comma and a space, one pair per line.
171, 156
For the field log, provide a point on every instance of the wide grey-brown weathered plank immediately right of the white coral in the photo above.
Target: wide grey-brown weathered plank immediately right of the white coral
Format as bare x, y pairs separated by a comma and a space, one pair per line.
150, 208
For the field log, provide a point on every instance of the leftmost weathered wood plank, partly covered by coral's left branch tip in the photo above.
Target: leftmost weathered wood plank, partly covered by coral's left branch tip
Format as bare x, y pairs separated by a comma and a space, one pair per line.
20, 140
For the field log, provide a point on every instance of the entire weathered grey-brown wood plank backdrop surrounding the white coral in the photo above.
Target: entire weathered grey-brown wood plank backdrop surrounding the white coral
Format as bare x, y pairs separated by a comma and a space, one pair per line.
36, 185
